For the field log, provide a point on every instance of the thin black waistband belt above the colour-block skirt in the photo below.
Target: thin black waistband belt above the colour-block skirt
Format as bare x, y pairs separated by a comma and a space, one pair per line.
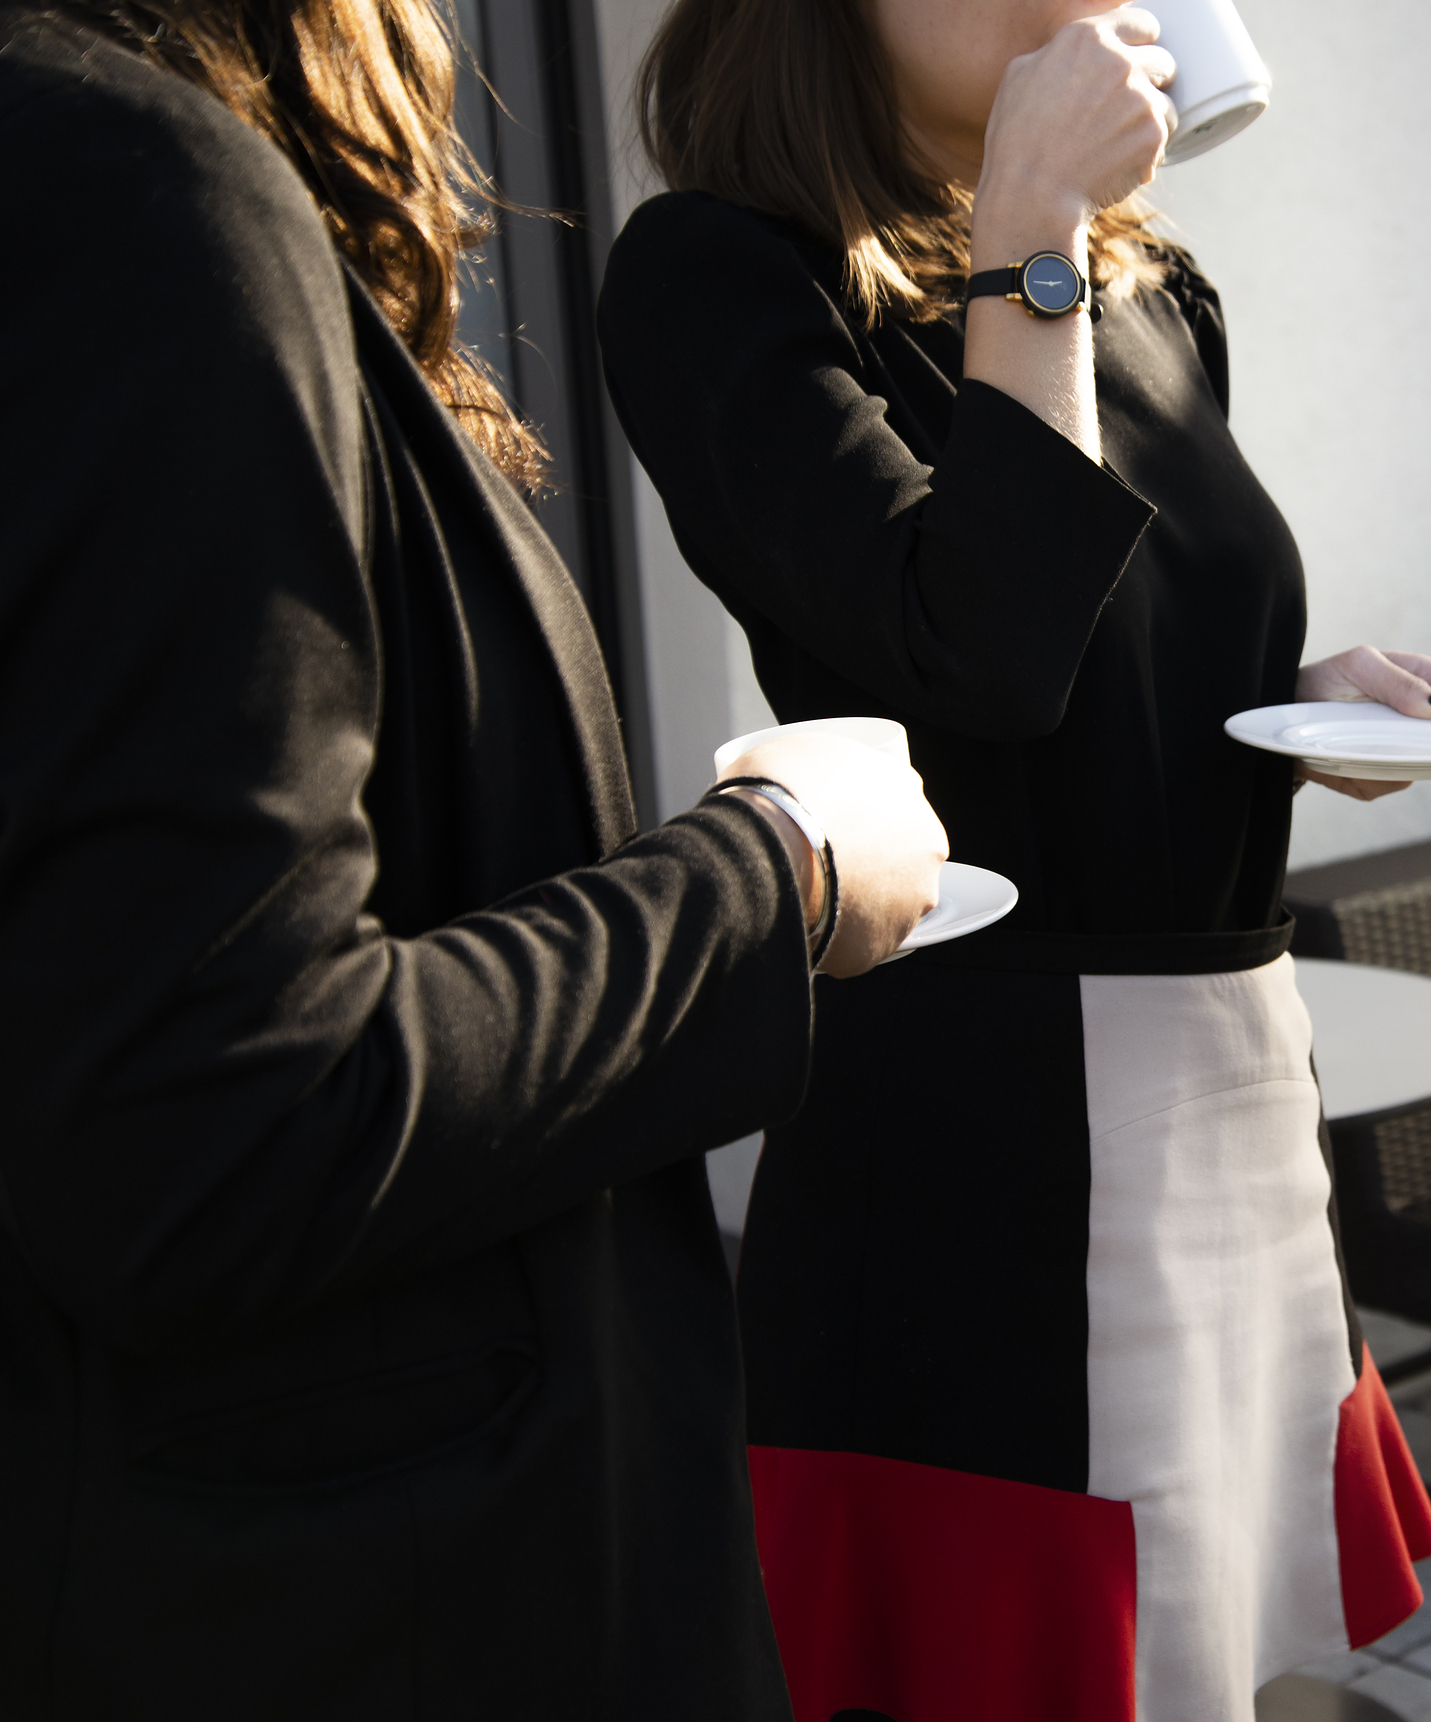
1019, 951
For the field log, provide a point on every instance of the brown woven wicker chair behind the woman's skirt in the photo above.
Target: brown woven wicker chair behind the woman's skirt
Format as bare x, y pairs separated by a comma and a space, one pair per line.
1378, 910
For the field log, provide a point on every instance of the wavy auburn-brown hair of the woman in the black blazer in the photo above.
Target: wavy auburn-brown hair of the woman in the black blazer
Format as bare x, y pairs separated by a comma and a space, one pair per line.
359, 96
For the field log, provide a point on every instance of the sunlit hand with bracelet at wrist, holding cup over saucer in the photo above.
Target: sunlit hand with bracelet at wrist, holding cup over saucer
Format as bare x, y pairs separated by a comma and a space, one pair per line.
886, 838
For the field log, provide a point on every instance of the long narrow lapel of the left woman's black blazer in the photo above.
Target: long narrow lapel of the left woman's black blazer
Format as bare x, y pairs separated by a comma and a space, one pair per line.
519, 547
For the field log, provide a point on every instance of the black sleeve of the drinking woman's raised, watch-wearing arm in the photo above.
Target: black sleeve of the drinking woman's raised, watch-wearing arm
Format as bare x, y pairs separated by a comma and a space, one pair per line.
962, 595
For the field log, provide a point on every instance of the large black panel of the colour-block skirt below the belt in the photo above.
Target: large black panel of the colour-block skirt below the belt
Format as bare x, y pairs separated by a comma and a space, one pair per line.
915, 1258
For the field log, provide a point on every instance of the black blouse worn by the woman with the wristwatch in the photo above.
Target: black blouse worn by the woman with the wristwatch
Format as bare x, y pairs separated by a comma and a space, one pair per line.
901, 543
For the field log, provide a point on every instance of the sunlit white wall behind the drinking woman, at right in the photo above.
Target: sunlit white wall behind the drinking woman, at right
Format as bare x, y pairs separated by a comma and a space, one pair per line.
1316, 226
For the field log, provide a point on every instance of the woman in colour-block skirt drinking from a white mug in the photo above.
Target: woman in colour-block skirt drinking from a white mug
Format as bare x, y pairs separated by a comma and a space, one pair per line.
1056, 1404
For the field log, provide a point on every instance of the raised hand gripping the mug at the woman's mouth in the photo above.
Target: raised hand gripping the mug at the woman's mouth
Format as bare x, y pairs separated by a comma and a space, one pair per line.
1079, 125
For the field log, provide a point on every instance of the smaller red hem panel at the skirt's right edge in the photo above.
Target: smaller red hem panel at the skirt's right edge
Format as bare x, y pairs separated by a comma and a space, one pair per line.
1384, 1518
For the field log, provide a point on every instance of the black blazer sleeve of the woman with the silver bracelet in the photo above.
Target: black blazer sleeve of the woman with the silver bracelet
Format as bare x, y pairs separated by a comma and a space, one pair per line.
228, 1093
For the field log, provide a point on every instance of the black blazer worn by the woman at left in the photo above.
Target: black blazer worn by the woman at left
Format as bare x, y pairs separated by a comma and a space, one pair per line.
366, 1346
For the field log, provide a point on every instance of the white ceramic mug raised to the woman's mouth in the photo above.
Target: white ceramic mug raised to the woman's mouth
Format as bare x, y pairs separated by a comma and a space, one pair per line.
1222, 84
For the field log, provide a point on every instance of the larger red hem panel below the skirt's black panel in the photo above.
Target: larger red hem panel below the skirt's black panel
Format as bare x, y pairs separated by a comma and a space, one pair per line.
932, 1594
